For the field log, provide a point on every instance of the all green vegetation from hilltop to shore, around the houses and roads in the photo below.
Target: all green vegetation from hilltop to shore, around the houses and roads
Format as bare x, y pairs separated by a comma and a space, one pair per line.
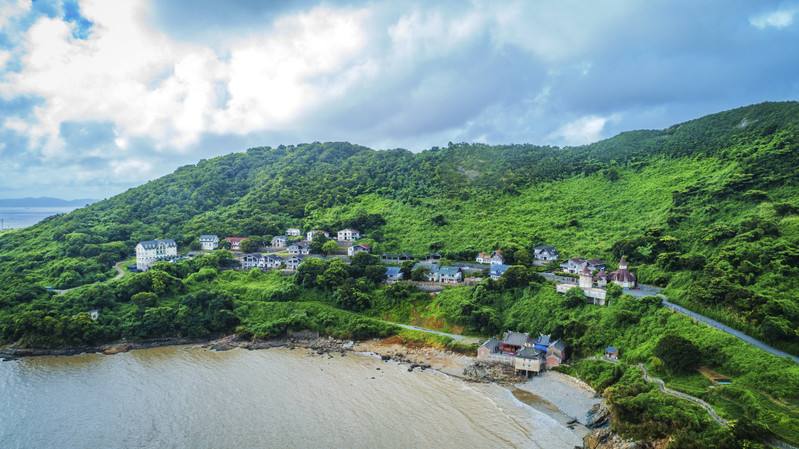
708, 209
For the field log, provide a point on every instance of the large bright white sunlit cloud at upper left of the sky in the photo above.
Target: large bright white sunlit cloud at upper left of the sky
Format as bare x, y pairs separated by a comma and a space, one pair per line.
150, 85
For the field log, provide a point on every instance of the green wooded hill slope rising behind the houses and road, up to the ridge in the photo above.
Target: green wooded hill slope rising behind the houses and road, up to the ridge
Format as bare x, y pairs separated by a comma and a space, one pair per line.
709, 208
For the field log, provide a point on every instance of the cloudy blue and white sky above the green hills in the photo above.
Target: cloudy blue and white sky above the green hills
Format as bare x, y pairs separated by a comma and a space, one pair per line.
97, 96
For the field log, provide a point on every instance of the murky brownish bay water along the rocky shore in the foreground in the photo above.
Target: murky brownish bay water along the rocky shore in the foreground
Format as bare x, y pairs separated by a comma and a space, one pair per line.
188, 397
